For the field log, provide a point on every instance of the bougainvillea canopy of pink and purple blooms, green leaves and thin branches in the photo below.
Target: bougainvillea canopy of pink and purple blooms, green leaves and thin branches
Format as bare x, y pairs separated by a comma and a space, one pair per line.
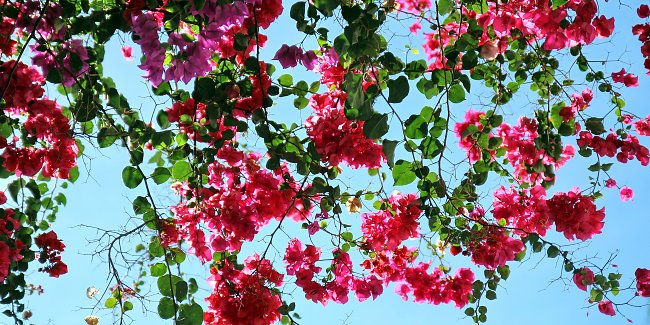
403, 145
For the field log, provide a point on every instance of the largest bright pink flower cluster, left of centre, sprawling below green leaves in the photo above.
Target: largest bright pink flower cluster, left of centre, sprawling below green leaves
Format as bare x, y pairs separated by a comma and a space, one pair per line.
241, 199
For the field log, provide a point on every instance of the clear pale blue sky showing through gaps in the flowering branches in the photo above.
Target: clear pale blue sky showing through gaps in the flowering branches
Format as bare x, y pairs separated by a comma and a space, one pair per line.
529, 296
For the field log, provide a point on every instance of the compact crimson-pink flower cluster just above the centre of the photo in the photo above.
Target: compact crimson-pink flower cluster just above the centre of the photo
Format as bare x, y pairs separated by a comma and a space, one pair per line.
338, 139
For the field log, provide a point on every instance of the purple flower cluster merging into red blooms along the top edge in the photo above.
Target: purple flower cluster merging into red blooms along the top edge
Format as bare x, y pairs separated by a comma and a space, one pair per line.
194, 48
